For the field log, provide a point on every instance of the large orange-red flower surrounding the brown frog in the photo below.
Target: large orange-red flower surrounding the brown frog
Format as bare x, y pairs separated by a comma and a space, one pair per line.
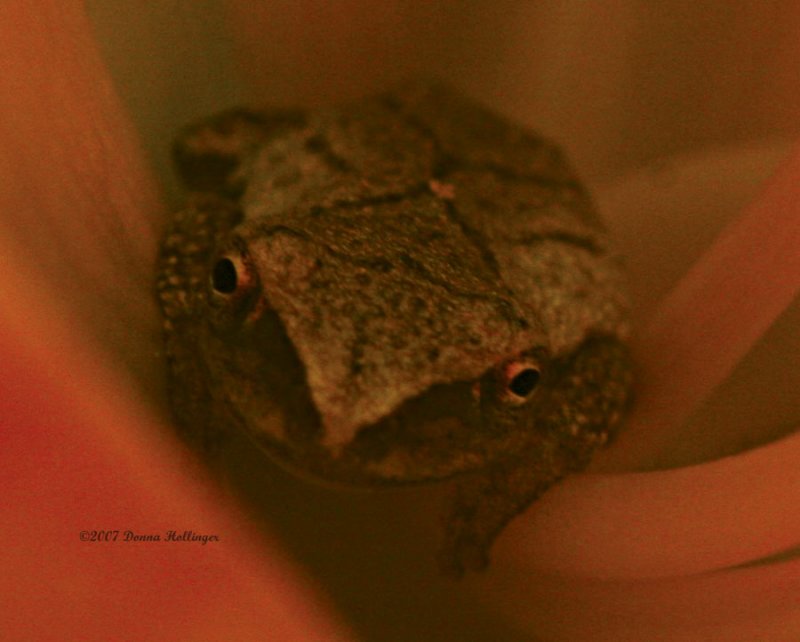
684, 529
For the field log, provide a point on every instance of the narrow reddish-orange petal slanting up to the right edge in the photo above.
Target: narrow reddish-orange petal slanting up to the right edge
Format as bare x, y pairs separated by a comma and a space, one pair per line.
718, 311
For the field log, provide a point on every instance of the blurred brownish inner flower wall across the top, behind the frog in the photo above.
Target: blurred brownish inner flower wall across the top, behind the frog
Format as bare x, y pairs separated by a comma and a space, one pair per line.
620, 83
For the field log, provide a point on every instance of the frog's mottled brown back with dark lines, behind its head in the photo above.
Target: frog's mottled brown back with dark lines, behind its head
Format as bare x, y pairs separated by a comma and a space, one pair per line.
507, 192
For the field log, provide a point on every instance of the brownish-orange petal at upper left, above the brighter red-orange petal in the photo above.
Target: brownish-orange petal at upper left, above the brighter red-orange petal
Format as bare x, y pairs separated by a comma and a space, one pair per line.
75, 195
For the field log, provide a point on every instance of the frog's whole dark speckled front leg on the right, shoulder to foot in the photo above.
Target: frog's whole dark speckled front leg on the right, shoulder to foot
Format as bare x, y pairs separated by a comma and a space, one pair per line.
584, 412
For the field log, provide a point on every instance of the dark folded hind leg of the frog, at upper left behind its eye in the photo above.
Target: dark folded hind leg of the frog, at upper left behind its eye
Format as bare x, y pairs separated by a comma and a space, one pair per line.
209, 154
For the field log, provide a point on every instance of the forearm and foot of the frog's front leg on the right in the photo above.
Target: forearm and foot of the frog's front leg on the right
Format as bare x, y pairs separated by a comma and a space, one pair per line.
483, 505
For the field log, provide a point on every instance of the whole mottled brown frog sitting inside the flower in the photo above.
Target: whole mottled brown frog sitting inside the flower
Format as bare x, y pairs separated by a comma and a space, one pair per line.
400, 290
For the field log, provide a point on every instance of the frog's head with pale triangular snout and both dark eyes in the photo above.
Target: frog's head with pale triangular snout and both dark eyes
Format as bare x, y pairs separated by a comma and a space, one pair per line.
375, 340
